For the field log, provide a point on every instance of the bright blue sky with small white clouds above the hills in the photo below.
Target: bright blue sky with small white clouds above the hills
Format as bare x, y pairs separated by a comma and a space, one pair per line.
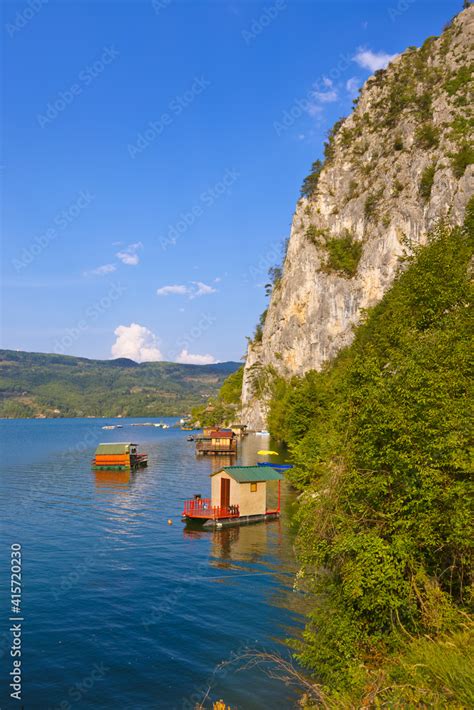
153, 154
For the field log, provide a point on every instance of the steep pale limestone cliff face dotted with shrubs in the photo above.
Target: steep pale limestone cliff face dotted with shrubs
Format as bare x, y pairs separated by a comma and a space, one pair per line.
395, 167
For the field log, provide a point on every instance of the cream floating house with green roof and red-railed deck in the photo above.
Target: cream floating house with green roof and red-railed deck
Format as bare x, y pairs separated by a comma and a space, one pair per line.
239, 494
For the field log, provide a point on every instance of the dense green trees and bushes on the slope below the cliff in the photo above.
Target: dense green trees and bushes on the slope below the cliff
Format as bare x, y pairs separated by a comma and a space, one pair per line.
380, 441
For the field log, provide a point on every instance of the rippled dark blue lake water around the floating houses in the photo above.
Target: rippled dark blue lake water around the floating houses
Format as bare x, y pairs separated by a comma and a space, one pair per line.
123, 610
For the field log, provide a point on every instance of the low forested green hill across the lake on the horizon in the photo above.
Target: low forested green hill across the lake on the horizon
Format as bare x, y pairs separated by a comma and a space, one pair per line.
40, 384
